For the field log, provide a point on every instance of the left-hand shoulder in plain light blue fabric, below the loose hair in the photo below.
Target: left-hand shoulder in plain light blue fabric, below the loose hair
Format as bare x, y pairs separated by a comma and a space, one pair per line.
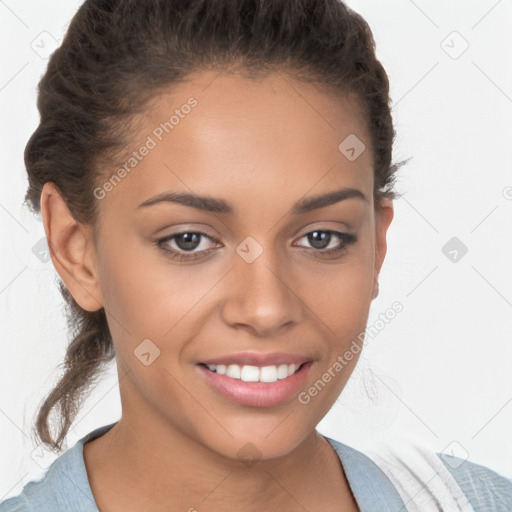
62, 486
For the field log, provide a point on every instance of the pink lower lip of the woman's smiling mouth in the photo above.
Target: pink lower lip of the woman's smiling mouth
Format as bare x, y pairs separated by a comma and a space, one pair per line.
257, 394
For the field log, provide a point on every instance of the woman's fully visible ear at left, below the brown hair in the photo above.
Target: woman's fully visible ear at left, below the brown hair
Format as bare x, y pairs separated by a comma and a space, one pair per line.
72, 249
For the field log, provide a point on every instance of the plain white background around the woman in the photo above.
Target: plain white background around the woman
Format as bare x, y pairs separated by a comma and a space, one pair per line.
440, 372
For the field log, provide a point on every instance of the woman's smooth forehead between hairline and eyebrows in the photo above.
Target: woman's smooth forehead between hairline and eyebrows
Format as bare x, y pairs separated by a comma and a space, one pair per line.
221, 135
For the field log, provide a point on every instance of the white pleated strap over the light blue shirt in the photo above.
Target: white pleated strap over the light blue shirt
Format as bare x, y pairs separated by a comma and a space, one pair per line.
420, 477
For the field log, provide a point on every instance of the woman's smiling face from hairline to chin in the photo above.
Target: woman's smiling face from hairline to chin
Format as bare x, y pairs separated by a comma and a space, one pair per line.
256, 274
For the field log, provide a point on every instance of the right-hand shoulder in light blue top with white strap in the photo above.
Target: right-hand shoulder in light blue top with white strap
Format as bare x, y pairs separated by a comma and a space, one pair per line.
402, 474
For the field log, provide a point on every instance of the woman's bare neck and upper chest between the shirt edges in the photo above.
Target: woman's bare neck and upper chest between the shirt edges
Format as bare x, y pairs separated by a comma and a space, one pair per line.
131, 462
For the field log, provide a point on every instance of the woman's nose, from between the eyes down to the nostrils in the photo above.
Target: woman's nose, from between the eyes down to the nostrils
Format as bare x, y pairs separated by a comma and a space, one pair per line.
260, 296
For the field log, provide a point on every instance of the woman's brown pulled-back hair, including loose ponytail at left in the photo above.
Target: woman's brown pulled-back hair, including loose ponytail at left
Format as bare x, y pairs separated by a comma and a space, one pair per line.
118, 54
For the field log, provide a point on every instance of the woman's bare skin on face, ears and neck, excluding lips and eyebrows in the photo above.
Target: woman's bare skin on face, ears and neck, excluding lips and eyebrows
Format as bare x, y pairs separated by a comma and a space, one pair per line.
262, 145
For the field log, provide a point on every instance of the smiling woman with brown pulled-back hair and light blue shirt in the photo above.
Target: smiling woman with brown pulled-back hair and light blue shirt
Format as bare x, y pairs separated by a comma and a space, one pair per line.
215, 183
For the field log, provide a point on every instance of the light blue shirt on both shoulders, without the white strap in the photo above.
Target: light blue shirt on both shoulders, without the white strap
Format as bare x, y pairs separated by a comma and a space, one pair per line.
65, 485
